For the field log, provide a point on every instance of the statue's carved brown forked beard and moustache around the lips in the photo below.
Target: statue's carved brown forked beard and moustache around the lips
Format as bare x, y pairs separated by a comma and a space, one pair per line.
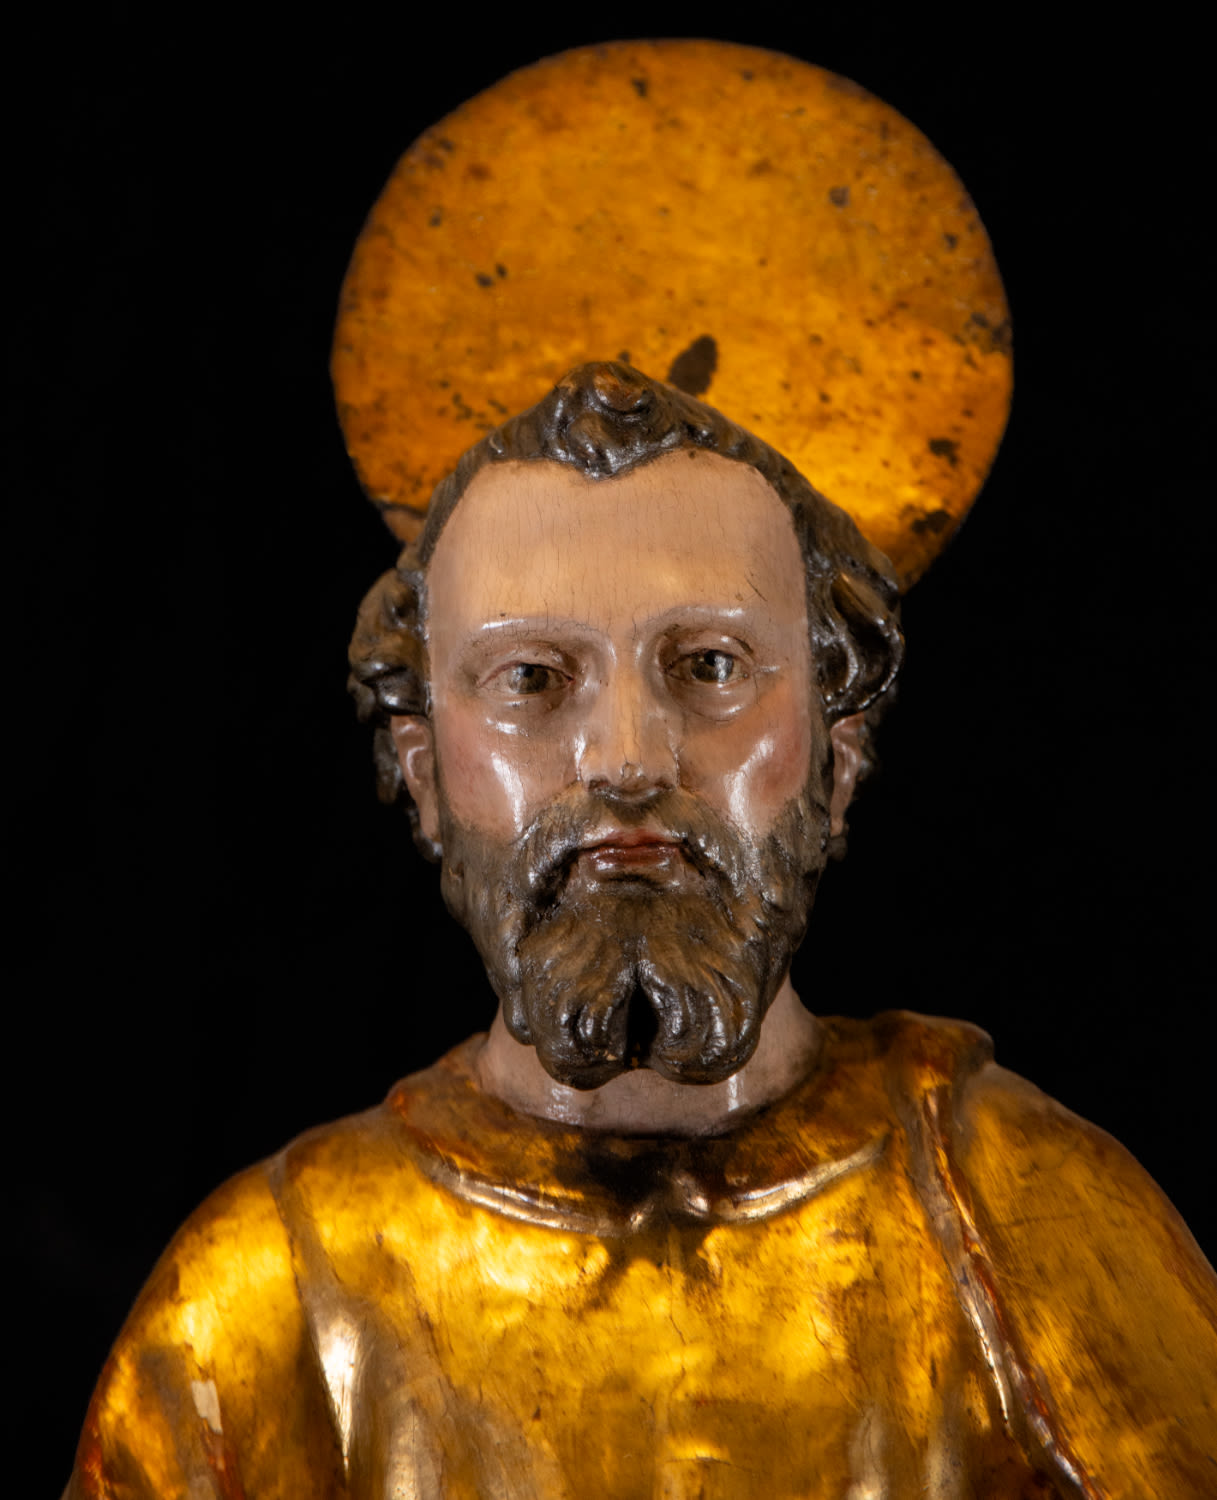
625, 974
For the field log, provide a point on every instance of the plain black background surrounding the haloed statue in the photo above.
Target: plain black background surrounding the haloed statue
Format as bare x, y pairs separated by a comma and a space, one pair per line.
220, 938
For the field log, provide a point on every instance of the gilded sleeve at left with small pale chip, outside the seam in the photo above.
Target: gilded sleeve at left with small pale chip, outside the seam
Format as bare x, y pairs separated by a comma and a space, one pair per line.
212, 1388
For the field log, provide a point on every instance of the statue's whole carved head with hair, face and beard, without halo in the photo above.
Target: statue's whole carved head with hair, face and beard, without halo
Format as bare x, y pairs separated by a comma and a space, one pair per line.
622, 682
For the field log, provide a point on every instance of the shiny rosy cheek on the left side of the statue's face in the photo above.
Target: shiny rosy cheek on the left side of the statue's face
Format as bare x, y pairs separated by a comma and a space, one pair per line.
493, 779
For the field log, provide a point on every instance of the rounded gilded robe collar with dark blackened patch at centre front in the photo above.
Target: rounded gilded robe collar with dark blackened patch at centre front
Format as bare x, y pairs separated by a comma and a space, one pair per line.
838, 1121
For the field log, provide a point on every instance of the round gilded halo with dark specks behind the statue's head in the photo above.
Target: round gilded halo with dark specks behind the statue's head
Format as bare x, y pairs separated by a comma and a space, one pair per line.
765, 235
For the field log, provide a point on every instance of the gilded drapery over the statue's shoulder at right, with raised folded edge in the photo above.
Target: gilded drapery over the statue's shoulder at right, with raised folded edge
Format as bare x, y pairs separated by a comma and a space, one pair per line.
1096, 1307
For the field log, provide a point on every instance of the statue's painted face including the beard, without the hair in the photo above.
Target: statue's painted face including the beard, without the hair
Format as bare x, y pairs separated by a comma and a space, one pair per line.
627, 761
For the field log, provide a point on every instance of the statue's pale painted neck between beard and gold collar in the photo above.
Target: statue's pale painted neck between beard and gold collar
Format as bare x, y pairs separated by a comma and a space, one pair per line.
643, 1103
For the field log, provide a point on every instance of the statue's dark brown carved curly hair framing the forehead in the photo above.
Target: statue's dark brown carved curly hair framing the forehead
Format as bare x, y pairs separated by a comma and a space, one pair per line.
605, 421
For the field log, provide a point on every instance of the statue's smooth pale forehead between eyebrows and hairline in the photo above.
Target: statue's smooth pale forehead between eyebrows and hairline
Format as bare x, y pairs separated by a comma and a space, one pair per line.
691, 530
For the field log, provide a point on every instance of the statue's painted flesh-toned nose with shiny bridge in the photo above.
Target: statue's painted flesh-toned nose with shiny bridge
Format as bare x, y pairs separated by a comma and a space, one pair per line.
628, 742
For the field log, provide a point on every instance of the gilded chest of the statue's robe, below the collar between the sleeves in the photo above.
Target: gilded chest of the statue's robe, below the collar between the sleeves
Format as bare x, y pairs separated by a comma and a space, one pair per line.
819, 1352
